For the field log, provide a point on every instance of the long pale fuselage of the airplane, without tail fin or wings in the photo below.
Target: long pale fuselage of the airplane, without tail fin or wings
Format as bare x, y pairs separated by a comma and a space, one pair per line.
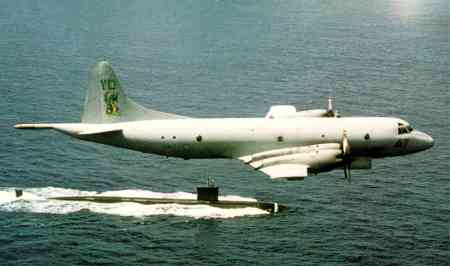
236, 137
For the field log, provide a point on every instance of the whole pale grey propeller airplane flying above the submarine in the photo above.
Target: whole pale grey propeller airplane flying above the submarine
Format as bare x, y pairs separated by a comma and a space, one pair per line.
284, 144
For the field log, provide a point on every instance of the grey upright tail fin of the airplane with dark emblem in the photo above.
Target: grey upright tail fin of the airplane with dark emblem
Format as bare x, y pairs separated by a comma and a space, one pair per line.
106, 102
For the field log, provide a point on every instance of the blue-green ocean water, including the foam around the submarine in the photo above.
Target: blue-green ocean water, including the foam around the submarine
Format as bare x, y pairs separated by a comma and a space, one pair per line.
223, 59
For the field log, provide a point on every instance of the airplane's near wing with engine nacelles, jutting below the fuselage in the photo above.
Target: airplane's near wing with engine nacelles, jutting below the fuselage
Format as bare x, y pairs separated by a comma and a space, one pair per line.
294, 163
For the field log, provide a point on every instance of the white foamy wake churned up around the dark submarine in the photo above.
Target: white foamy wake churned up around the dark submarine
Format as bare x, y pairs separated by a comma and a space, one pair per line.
36, 200
